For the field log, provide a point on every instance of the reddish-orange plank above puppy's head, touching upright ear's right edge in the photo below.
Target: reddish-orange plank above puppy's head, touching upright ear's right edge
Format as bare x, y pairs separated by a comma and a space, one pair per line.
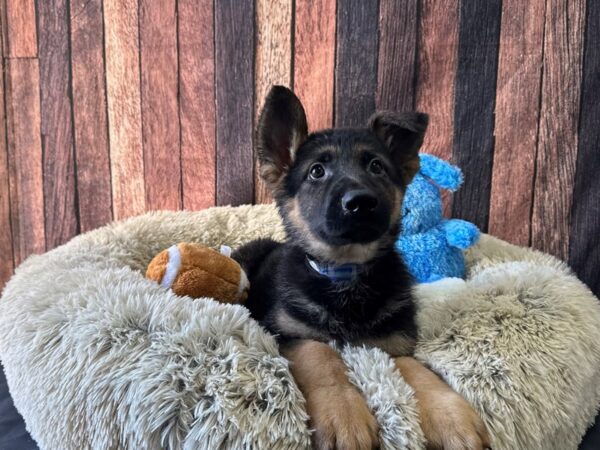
314, 60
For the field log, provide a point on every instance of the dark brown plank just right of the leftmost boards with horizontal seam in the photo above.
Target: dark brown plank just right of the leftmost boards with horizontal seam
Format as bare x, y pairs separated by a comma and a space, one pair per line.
56, 123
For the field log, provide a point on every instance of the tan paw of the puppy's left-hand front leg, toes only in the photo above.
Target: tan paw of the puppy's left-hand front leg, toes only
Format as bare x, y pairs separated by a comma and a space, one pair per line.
341, 420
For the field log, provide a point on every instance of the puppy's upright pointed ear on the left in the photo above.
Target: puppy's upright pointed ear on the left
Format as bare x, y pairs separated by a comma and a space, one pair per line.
281, 130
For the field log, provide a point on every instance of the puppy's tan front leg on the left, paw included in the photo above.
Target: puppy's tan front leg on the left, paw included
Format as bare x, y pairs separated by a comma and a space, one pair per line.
338, 413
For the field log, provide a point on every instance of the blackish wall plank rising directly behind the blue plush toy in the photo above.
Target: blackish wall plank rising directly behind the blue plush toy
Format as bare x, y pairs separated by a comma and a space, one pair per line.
474, 99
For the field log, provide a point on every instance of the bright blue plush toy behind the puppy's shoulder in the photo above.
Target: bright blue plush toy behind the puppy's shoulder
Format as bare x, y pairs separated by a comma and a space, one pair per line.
431, 245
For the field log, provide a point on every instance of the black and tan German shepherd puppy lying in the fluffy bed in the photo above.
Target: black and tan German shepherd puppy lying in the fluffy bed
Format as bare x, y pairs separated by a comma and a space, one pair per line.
338, 277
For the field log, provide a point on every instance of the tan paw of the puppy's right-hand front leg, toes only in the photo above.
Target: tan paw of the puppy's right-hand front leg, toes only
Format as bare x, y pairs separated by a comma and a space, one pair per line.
450, 423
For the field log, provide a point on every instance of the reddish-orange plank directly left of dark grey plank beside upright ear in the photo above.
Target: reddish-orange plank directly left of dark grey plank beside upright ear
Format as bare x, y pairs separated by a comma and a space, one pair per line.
197, 103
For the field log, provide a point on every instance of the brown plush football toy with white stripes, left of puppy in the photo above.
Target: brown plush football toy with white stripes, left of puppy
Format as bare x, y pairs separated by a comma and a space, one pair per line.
199, 271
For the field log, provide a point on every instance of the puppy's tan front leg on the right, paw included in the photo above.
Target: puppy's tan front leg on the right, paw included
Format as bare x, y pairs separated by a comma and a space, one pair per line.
447, 420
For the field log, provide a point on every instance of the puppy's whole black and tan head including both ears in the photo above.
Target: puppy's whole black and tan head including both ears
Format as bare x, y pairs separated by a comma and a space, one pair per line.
339, 191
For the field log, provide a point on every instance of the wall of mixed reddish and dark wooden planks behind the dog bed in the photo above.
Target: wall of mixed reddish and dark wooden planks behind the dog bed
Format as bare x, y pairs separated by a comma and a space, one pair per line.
112, 108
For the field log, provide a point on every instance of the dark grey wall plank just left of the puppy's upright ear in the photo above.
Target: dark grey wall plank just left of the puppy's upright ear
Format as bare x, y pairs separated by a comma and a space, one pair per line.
234, 39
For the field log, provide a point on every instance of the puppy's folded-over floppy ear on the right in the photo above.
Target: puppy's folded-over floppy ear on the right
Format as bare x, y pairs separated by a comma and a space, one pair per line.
402, 134
